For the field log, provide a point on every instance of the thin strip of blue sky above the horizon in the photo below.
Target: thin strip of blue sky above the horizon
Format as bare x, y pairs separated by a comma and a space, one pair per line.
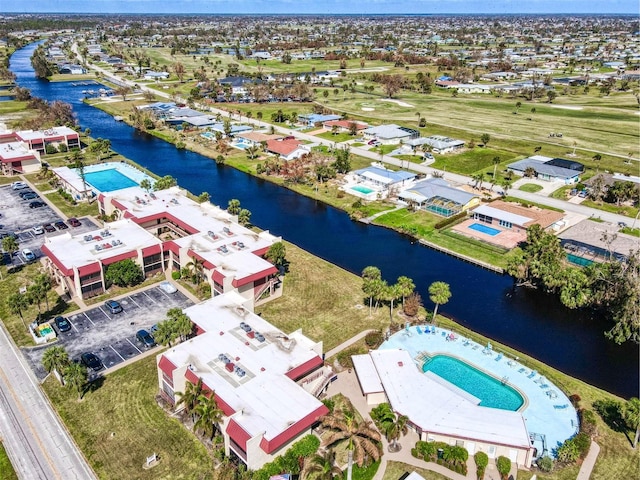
322, 6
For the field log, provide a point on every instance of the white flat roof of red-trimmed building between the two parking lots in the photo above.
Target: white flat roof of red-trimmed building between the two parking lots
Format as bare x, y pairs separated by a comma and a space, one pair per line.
80, 250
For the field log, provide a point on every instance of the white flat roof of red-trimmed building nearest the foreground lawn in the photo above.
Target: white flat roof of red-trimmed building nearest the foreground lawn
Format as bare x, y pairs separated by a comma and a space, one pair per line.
269, 401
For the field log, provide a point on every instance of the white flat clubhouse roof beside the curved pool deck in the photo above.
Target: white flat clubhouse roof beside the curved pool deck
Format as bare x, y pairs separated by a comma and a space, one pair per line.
438, 409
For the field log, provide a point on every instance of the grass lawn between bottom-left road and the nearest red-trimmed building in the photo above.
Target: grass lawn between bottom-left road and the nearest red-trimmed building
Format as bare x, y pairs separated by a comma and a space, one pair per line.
118, 424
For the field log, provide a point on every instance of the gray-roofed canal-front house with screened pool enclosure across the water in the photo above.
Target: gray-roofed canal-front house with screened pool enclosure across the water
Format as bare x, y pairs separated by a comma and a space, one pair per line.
437, 196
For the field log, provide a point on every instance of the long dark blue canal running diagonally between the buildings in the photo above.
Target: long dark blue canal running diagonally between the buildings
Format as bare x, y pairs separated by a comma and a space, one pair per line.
529, 321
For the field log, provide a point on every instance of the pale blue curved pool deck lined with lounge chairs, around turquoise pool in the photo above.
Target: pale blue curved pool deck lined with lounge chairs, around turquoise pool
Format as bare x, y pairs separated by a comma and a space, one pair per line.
547, 411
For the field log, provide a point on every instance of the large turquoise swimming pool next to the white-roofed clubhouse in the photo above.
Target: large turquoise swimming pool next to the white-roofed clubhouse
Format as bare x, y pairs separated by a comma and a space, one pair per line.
491, 392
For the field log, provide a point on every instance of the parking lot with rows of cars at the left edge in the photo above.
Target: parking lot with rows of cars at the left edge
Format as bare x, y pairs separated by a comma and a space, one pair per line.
16, 217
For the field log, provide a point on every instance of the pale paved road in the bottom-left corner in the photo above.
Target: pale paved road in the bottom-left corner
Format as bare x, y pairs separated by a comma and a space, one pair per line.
38, 445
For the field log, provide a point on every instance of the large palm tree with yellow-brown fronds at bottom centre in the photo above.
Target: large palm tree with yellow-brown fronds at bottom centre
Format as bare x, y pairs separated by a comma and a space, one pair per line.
362, 437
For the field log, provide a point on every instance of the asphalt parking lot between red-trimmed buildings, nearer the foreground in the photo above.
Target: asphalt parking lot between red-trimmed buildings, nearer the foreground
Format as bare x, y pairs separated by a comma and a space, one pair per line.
112, 337
